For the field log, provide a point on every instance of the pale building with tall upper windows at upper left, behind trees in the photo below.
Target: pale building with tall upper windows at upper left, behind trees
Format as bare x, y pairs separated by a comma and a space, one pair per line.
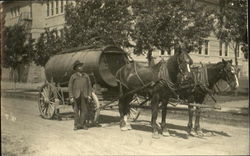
35, 15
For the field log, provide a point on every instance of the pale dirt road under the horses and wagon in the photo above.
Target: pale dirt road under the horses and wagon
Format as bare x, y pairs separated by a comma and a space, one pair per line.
24, 132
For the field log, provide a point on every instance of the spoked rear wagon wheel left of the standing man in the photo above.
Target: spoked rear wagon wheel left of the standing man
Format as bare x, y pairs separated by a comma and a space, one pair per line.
46, 103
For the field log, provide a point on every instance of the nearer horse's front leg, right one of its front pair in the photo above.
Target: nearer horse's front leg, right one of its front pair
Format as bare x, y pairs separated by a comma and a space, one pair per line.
164, 128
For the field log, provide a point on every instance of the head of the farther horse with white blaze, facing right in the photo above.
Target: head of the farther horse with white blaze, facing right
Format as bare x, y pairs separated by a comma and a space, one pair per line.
228, 73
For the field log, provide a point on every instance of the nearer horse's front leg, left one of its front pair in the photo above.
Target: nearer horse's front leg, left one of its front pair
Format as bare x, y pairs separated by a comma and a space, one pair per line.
155, 108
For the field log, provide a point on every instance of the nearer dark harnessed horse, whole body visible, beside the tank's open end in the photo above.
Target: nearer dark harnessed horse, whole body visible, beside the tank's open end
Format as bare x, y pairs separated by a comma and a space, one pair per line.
153, 82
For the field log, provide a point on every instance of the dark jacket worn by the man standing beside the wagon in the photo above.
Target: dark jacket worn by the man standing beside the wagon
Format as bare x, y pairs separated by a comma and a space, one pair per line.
79, 83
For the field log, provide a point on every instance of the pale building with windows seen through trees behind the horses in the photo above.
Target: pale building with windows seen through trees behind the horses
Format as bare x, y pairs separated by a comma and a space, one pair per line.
211, 51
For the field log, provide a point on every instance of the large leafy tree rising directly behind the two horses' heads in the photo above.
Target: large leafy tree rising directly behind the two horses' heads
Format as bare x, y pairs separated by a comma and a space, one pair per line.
165, 24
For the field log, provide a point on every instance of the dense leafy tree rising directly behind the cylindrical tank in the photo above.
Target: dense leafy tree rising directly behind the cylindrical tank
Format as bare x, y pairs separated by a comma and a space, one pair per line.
94, 22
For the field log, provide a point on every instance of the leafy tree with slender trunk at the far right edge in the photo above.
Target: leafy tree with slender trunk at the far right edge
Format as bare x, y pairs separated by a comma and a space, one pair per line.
232, 24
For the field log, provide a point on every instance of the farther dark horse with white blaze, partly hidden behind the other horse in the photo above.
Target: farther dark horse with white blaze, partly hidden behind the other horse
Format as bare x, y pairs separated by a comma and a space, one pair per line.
223, 70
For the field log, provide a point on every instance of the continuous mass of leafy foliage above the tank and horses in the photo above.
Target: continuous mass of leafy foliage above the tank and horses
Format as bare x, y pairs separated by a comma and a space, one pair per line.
150, 24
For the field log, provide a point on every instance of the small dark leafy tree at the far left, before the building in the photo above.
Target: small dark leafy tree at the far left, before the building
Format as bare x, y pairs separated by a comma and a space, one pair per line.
18, 48
